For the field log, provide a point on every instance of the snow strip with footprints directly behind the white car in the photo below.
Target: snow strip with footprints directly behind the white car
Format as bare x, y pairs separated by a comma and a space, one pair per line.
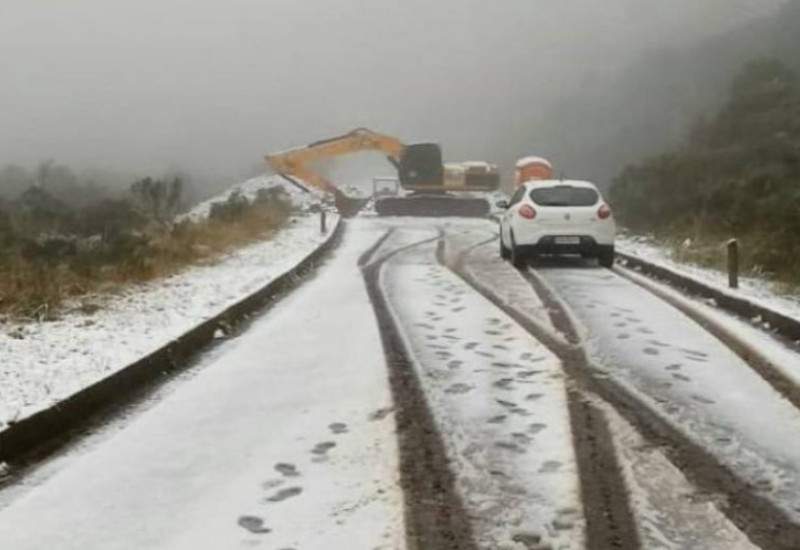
688, 377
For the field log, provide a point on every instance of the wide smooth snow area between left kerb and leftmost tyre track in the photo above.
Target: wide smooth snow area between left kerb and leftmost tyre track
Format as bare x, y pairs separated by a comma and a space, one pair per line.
284, 438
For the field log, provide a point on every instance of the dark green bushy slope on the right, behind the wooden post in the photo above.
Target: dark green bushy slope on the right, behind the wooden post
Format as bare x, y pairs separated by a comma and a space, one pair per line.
737, 174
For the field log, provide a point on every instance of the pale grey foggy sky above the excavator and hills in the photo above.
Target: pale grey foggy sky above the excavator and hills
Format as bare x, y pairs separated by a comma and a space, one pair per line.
212, 86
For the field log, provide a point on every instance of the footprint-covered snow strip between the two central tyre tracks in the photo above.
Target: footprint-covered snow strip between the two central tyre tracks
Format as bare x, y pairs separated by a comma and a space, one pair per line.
499, 399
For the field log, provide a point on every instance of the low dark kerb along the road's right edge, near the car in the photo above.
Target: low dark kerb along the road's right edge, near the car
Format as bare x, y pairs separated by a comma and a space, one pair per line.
786, 326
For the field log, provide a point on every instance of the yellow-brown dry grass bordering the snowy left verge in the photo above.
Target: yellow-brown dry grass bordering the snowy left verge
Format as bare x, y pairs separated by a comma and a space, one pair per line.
33, 288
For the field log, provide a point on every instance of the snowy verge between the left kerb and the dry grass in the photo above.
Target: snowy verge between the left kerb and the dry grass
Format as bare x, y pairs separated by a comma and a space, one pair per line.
44, 363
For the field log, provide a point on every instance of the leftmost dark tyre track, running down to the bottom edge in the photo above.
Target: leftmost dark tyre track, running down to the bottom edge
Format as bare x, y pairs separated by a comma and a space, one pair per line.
435, 515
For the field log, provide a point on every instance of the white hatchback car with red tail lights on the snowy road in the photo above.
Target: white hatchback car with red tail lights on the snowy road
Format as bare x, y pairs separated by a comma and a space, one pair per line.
557, 217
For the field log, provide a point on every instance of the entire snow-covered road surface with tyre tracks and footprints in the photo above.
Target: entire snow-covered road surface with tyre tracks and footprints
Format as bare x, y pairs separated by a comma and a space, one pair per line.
419, 393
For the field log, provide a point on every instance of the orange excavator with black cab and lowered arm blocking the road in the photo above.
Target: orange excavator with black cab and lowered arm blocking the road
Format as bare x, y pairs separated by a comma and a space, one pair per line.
419, 167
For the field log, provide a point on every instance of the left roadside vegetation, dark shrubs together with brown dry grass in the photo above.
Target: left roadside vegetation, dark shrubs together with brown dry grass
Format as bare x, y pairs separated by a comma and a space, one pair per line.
62, 237
